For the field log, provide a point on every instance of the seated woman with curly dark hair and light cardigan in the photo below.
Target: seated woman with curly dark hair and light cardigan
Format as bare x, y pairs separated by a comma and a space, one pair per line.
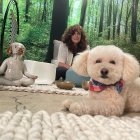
73, 42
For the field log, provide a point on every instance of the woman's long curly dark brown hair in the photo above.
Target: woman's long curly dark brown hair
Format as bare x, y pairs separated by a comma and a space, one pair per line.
66, 38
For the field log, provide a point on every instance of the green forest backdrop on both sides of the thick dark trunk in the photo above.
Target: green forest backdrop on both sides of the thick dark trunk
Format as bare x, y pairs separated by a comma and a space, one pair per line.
104, 21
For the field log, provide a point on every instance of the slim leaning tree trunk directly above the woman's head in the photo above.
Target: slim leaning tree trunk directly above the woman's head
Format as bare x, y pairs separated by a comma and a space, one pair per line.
83, 13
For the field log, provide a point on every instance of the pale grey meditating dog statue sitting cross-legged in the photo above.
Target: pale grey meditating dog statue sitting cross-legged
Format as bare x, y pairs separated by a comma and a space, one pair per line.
13, 71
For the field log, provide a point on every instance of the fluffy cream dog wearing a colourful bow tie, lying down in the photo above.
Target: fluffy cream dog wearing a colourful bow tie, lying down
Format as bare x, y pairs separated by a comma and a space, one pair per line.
114, 86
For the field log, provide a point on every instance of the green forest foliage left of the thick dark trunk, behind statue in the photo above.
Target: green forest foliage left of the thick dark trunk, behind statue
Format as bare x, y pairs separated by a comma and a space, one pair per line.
34, 33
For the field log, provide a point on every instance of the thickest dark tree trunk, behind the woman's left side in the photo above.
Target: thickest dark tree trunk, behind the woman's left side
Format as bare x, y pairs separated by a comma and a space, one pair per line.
59, 24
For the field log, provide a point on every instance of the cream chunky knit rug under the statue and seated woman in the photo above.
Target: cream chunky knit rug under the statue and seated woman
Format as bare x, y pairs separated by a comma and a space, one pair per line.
46, 89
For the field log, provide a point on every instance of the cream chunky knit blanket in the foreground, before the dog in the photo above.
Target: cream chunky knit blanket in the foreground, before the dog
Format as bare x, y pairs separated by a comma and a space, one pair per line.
25, 125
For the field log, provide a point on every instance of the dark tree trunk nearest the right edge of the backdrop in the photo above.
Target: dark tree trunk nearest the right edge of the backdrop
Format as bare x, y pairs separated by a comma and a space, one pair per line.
134, 21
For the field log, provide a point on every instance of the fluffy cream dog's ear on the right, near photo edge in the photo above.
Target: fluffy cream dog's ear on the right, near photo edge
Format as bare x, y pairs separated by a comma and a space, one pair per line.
131, 68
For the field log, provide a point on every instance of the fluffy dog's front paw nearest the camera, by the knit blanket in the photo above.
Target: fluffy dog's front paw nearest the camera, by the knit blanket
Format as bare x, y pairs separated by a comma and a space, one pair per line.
76, 108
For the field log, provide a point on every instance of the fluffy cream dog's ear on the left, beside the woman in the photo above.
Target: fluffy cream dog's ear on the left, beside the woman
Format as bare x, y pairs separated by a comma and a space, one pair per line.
80, 63
